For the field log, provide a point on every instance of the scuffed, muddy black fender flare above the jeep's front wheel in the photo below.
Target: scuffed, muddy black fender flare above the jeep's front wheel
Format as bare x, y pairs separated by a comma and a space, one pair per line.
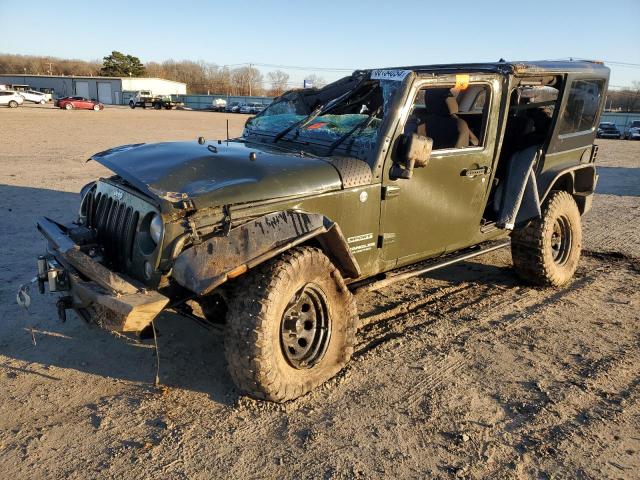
210, 263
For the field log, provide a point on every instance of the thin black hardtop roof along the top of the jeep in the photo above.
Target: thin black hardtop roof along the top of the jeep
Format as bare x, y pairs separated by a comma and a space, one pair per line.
520, 68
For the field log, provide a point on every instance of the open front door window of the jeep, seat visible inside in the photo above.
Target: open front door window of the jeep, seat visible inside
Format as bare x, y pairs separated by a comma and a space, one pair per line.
451, 118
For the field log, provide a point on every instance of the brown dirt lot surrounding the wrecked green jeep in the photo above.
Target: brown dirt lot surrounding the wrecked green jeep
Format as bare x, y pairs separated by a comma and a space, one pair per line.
464, 373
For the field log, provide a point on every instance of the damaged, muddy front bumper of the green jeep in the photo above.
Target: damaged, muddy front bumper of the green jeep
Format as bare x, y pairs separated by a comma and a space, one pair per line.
87, 283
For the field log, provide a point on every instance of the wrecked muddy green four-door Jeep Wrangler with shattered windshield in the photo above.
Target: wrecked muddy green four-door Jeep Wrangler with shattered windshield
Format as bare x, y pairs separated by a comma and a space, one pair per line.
377, 177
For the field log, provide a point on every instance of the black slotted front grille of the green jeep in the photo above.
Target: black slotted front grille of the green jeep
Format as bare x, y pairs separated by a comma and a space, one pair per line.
115, 224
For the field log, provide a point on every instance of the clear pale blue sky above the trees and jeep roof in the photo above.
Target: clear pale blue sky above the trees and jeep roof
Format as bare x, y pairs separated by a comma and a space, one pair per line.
335, 34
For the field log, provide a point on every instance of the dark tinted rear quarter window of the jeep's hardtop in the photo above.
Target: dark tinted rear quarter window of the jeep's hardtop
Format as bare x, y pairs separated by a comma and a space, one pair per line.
582, 106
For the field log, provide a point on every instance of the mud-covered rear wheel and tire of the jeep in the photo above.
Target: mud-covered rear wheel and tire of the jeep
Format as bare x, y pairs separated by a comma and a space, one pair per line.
547, 251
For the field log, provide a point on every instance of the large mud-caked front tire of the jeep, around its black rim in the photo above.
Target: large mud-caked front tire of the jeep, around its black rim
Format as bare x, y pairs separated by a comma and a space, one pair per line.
263, 299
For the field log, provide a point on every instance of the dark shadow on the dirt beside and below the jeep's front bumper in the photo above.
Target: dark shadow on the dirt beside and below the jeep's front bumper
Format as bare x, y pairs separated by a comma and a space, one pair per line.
191, 357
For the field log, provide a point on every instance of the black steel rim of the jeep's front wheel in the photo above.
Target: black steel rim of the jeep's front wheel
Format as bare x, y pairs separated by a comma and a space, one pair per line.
305, 328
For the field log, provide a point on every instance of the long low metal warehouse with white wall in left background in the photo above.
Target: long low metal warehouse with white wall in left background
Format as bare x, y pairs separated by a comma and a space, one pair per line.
108, 90
